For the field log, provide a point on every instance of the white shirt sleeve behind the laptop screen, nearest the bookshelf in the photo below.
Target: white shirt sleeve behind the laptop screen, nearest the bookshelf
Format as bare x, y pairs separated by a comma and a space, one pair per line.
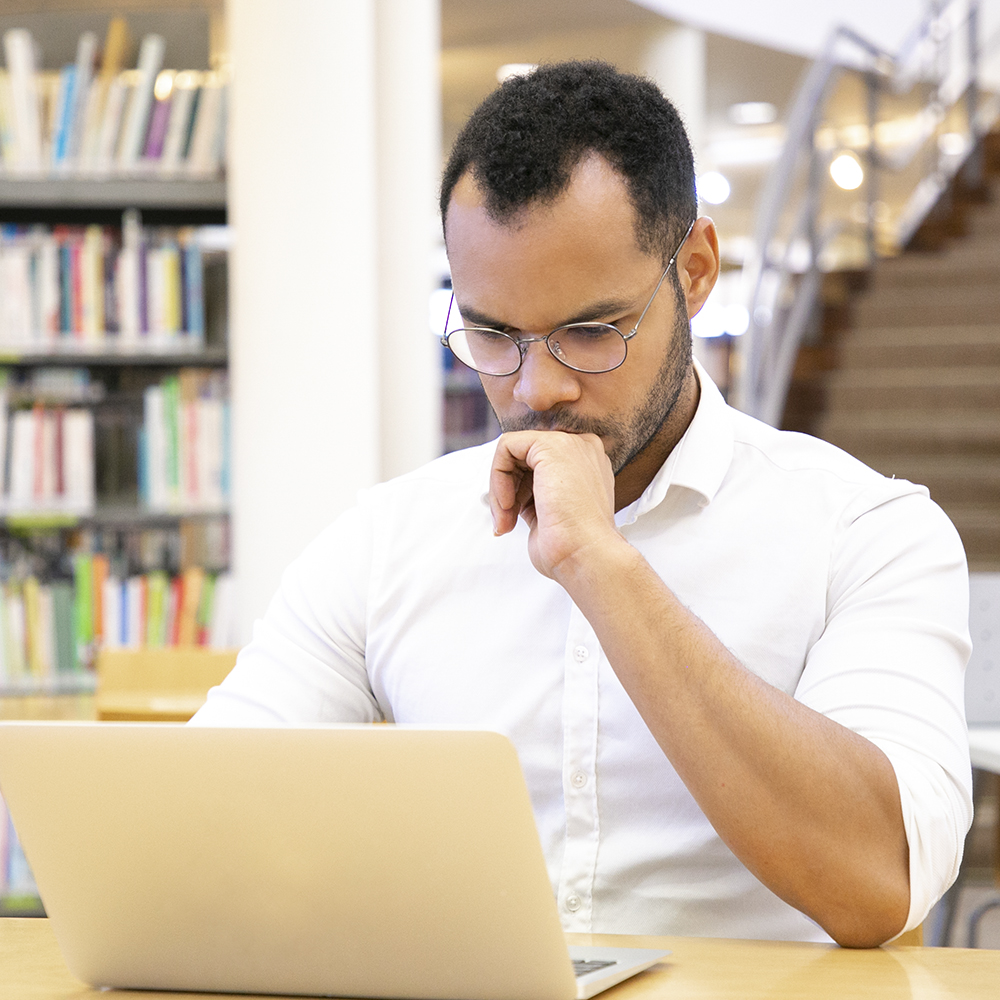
306, 662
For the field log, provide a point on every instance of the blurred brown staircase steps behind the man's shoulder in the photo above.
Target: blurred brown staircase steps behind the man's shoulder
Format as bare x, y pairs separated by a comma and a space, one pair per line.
913, 386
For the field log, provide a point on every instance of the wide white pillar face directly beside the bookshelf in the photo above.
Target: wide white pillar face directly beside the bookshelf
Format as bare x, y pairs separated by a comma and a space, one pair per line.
303, 285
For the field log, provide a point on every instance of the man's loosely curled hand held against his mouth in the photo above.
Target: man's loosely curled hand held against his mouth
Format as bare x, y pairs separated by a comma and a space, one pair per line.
563, 486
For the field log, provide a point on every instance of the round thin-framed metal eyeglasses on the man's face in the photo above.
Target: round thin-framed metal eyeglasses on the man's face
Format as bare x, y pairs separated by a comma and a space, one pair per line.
592, 348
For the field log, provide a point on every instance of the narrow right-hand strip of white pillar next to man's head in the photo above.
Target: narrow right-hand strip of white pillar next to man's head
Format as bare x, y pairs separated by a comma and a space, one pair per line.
409, 156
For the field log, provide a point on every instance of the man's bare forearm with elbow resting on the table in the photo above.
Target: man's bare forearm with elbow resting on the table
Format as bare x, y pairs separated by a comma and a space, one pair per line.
811, 808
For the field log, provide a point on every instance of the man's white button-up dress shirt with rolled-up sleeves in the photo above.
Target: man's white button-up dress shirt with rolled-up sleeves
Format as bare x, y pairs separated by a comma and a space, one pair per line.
838, 586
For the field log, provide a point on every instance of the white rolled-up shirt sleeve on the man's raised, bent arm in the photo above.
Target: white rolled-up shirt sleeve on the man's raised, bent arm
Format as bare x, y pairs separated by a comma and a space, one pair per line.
890, 665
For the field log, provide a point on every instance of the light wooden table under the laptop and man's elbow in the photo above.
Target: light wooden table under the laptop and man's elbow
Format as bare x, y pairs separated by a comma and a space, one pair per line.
31, 968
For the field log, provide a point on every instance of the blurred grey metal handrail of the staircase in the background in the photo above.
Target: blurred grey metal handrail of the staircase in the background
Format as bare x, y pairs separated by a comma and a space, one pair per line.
783, 290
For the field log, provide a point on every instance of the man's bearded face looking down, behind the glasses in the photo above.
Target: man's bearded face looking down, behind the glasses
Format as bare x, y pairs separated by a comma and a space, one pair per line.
565, 261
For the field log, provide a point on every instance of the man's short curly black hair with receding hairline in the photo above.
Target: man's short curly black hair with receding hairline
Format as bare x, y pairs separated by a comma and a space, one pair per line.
524, 140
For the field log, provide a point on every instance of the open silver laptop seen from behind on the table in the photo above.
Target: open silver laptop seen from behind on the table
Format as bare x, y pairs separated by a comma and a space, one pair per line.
353, 861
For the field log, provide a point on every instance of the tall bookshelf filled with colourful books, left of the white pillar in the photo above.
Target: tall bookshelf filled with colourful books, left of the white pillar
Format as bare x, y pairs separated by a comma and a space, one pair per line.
115, 211
